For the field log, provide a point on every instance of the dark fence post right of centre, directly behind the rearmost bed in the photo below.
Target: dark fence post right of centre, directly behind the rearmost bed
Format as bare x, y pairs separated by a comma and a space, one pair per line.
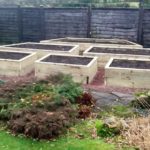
89, 14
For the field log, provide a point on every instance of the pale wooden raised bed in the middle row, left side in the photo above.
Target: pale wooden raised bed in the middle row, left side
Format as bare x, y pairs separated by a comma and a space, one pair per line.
44, 49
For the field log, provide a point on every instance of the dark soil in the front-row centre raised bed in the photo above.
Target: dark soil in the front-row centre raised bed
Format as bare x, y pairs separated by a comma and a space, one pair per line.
68, 60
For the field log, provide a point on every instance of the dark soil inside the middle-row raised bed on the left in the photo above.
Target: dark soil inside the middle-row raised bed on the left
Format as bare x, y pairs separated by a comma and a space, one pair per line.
43, 47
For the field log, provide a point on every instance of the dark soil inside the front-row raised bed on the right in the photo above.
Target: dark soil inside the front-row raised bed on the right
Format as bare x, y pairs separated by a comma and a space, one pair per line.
130, 64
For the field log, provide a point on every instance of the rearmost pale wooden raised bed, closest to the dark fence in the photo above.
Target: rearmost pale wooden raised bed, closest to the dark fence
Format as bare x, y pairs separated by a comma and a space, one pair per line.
85, 43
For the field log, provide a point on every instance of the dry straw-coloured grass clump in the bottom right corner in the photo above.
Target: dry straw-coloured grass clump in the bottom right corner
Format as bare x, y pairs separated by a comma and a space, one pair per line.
138, 133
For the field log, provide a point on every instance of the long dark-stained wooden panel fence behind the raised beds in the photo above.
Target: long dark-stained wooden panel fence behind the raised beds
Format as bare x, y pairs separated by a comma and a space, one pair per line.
35, 24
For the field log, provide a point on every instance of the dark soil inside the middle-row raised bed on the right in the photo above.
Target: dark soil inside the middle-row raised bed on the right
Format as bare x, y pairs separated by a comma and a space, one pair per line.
120, 51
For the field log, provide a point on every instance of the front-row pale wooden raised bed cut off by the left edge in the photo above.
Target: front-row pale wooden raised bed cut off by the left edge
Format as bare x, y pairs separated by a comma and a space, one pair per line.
14, 63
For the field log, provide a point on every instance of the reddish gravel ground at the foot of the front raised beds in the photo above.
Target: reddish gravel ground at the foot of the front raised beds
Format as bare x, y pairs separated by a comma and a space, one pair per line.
98, 84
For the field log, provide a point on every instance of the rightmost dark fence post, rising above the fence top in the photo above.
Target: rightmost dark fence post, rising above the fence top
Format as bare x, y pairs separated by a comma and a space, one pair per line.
140, 22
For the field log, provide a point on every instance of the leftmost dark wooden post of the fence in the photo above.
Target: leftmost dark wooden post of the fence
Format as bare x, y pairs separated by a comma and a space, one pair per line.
20, 24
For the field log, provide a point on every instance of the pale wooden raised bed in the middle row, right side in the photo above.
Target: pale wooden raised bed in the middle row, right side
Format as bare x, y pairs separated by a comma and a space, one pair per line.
105, 53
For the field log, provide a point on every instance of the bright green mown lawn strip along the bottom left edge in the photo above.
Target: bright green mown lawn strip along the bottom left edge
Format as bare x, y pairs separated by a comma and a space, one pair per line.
9, 142
